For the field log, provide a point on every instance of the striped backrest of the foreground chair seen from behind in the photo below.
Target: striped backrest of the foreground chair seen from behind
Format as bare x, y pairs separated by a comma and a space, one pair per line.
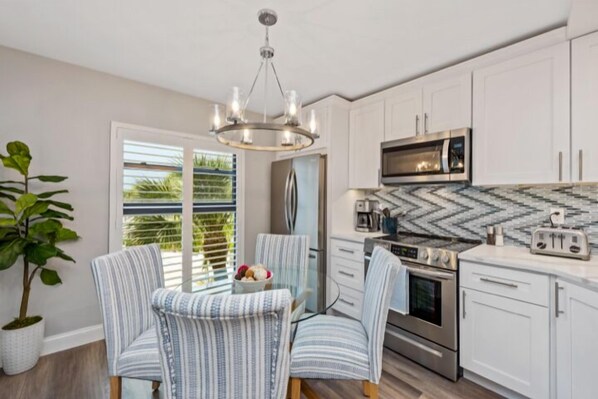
223, 346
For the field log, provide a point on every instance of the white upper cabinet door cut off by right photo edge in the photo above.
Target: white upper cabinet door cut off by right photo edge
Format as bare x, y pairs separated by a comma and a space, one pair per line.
584, 104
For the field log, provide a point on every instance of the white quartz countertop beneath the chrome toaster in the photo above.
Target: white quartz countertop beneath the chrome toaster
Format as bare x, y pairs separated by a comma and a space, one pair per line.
580, 272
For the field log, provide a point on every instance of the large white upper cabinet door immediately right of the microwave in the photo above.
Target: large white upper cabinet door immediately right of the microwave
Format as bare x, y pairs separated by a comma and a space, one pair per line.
521, 119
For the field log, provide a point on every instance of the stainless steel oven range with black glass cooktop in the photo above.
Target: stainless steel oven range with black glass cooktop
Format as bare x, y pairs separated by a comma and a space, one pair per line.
429, 332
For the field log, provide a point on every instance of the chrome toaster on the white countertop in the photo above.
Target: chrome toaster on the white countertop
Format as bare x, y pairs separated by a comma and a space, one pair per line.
569, 242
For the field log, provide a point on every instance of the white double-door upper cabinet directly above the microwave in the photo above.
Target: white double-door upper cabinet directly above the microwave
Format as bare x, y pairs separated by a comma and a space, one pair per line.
430, 106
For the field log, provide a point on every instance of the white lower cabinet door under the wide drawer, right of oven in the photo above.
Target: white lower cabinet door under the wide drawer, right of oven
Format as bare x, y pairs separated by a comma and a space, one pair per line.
506, 341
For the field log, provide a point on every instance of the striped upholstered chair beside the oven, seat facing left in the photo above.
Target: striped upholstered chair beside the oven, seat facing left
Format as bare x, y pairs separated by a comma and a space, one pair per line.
329, 347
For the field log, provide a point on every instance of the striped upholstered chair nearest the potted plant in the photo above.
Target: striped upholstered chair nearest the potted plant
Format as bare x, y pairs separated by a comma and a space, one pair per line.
124, 282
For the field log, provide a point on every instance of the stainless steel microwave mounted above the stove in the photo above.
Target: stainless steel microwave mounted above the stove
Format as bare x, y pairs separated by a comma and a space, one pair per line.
427, 158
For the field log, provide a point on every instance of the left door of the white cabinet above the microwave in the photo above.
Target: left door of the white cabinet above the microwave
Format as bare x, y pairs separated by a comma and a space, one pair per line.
403, 114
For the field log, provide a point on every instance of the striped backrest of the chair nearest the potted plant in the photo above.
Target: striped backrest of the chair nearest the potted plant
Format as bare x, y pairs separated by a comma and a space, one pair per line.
124, 282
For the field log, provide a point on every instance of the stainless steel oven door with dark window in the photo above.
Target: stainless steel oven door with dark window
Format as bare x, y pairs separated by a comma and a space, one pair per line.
432, 305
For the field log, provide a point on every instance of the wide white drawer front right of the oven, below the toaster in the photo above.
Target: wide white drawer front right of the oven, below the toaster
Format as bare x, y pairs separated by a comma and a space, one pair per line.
515, 284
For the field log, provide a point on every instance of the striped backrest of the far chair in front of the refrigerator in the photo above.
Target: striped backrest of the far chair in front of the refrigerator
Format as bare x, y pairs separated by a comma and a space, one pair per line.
287, 256
